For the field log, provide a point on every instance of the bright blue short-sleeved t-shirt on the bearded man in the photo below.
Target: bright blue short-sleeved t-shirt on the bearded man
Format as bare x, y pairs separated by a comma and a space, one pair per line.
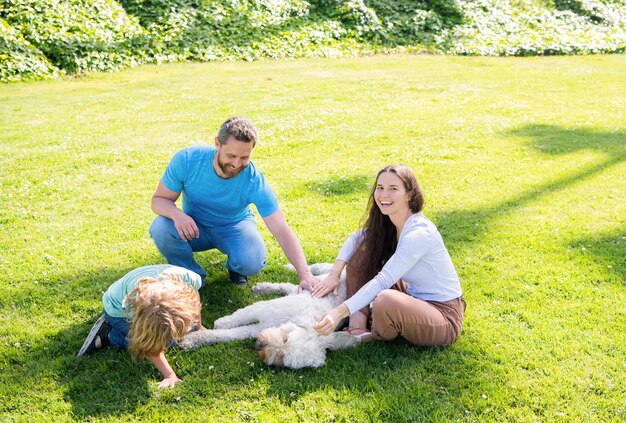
210, 200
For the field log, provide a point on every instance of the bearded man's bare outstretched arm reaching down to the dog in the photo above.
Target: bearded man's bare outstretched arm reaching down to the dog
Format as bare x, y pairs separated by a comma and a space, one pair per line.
290, 245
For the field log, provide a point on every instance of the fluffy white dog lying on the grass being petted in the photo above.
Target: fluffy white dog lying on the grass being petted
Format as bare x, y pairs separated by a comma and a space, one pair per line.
284, 325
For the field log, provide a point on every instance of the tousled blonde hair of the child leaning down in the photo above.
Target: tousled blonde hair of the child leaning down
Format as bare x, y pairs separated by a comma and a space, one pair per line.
160, 310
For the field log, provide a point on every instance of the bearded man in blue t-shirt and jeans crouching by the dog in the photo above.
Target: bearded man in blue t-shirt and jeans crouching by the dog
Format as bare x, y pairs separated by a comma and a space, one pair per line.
218, 185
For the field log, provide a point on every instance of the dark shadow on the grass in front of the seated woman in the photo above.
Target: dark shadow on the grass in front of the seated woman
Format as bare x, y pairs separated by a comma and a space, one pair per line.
376, 373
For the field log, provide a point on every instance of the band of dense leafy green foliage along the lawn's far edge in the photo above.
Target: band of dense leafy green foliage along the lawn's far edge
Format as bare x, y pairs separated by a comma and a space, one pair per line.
40, 38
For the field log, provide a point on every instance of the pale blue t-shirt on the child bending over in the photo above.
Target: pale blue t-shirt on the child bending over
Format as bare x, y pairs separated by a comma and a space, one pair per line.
114, 299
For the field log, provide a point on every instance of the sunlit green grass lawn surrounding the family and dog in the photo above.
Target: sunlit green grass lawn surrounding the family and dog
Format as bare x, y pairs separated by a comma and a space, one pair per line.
522, 162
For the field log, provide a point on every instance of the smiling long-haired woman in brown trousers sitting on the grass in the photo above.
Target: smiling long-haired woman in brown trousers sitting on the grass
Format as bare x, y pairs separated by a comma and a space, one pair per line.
397, 247
